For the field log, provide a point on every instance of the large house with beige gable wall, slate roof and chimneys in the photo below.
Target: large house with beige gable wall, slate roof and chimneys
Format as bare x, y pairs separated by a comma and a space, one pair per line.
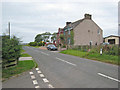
85, 32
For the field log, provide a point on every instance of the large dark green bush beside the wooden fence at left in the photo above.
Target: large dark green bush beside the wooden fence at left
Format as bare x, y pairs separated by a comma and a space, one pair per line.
11, 50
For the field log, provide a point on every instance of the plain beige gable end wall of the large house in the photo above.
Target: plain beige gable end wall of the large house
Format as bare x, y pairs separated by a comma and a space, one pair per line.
87, 31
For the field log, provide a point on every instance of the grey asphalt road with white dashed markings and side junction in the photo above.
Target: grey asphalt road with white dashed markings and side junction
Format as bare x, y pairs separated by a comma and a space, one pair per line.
56, 70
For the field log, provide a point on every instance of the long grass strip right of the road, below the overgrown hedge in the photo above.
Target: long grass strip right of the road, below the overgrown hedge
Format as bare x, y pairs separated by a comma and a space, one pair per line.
94, 56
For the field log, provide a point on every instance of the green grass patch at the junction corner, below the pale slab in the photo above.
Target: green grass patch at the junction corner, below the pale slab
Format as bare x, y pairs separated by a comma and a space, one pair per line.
21, 67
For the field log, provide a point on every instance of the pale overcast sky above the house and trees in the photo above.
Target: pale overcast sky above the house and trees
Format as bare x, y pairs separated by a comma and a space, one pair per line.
31, 17
